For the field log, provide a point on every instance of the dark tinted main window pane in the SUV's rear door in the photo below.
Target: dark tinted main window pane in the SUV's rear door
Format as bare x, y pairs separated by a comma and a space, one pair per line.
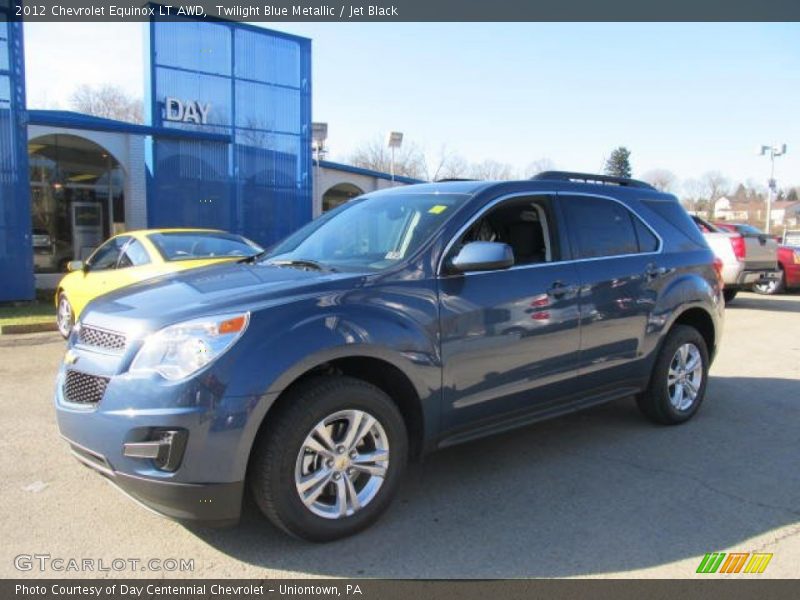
599, 227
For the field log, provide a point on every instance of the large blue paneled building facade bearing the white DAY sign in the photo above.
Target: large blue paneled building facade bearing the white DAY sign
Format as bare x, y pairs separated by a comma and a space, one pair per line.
258, 85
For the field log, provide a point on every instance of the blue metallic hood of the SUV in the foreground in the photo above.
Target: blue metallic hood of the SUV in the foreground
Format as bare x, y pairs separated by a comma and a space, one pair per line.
215, 289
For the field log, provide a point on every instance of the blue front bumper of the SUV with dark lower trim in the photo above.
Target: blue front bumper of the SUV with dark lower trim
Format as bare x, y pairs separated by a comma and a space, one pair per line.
206, 485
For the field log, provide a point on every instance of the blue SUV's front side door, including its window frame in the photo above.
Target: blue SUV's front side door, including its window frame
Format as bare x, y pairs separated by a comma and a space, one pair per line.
509, 338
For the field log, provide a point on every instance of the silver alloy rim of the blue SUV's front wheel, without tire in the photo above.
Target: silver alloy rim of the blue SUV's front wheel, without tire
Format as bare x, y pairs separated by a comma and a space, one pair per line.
342, 464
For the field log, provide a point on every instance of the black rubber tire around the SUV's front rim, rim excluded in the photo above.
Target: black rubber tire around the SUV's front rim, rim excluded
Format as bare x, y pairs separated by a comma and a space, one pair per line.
340, 394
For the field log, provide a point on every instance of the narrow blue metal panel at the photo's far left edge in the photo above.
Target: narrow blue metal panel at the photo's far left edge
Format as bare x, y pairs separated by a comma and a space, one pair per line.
16, 249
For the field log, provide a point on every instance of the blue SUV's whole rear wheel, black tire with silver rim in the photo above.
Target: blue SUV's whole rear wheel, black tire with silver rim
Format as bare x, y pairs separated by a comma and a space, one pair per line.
661, 402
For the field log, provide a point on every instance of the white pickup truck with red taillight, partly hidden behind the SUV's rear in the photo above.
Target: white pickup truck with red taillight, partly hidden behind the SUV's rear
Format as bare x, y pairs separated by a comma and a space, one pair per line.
747, 257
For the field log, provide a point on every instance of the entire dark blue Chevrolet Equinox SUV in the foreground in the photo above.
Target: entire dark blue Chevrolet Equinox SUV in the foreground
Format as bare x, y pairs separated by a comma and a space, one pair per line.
401, 322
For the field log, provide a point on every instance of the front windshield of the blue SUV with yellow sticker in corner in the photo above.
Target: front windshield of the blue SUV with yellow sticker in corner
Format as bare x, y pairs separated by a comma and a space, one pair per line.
371, 232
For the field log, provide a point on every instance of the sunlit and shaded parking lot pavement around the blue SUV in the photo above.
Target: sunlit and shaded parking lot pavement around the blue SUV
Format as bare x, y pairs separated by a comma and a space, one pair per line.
601, 493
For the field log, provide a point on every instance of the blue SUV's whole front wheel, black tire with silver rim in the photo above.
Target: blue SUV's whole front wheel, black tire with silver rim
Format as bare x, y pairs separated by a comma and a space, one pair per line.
282, 461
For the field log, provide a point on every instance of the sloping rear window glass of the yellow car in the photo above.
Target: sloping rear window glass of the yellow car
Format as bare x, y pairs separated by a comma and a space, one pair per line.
191, 245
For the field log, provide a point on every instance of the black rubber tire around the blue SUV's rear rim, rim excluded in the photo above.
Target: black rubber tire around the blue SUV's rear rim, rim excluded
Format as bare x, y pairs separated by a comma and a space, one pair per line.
659, 391
